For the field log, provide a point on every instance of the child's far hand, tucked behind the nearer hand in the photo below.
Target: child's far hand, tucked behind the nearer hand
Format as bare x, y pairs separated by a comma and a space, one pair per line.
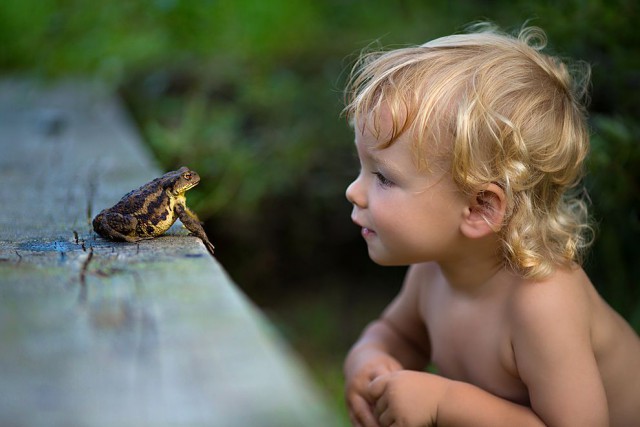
359, 402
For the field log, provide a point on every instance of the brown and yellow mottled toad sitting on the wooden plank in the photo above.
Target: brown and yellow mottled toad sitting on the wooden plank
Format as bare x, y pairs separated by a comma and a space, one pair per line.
152, 209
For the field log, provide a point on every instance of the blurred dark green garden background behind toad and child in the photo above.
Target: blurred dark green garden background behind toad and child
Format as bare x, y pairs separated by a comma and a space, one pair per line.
249, 94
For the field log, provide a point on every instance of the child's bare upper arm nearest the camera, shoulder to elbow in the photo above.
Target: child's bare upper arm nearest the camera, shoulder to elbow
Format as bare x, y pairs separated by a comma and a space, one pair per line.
552, 342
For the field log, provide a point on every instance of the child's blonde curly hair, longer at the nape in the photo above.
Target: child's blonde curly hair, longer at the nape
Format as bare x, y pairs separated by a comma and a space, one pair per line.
514, 116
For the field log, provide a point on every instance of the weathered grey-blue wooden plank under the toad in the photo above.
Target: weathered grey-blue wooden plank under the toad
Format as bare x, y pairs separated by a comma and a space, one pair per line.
97, 333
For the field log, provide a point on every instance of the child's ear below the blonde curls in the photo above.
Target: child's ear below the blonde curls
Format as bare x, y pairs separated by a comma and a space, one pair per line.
485, 213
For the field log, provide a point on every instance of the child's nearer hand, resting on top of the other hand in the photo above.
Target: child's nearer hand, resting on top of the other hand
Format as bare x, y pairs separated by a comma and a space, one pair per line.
407, 398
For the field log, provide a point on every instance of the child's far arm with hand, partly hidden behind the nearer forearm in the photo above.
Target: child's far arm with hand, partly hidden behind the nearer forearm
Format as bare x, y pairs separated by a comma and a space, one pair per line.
383, 349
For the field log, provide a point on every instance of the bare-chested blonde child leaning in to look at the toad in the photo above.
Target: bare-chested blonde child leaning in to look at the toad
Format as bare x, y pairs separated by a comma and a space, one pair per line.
468, 146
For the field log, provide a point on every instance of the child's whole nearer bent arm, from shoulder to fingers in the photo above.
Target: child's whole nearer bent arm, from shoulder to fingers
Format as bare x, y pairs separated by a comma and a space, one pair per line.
555, 359
